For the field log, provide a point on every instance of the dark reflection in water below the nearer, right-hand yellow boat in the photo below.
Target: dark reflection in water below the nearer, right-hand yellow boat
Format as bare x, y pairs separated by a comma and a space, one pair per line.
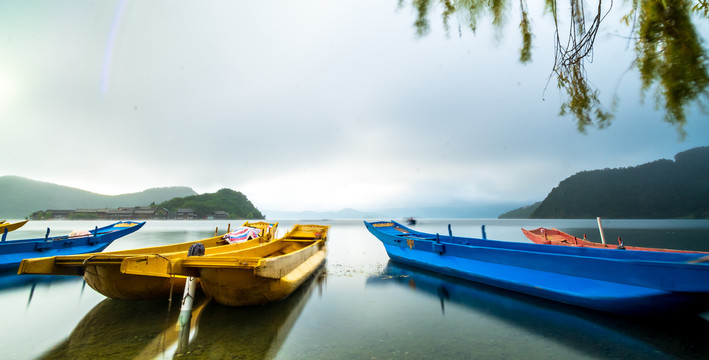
248, 332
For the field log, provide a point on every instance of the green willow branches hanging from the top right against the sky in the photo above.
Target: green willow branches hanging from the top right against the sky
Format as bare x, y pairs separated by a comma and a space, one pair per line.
670, 55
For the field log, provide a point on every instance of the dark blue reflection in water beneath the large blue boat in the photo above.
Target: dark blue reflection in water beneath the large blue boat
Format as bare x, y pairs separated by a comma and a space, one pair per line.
596, 334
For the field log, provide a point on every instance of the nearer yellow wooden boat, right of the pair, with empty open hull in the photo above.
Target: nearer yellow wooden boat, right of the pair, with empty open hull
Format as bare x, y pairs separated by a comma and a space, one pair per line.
252, 276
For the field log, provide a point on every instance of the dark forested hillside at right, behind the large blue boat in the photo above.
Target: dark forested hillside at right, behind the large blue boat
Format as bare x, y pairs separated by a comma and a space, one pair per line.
662, 189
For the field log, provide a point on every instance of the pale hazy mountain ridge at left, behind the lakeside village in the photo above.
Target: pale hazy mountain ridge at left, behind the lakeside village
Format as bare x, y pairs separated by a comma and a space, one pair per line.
19, 197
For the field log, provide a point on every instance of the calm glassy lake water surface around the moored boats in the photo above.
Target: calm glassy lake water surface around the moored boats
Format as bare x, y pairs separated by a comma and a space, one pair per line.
359, 306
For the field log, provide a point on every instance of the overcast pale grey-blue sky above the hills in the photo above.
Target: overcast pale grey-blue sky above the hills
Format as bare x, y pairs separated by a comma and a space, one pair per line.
307, 105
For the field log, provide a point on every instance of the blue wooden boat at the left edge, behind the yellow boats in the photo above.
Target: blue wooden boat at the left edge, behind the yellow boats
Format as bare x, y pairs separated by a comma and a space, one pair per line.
13, 251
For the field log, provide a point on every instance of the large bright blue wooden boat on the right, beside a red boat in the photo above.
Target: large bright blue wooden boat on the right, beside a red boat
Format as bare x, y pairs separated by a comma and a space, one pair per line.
625, 282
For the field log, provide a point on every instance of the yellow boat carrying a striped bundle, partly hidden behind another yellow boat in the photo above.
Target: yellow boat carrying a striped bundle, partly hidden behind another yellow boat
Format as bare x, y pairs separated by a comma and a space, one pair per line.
102, 270
